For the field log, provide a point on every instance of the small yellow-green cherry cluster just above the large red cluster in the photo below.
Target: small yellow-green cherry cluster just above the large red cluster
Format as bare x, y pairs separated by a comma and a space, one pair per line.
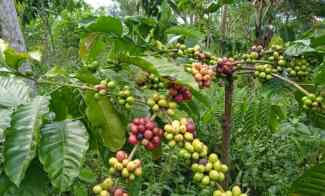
160, 103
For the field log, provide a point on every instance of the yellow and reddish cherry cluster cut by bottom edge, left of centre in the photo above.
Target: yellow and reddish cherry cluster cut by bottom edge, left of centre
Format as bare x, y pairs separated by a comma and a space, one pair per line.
106, 188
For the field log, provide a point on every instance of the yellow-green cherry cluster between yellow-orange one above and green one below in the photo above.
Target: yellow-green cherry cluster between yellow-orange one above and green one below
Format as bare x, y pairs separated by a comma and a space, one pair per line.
193, 150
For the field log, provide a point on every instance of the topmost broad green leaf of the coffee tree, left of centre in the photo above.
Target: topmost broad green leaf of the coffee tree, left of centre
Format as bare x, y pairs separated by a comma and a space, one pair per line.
105, 24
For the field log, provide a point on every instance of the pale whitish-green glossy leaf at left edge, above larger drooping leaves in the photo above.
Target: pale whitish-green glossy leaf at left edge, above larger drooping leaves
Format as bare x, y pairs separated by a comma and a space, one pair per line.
13, 92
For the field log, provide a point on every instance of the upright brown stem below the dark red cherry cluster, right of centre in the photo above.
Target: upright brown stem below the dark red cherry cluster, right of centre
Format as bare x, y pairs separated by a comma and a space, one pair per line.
226, 139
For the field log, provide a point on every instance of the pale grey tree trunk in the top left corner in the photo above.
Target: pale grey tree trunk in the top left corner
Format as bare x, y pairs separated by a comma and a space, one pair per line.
9, 25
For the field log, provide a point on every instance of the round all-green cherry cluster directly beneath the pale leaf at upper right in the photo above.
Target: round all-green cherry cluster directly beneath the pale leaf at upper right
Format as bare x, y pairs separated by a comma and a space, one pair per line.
298, 67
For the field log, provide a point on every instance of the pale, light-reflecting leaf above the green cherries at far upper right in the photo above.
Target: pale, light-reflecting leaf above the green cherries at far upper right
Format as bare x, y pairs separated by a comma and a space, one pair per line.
299, 47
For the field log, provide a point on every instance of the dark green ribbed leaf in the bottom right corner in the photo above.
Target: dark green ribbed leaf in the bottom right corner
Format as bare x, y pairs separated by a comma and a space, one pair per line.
311, 183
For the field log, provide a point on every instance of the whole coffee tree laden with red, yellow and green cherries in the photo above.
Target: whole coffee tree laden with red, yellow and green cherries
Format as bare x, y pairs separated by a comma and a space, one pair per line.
128, 99
